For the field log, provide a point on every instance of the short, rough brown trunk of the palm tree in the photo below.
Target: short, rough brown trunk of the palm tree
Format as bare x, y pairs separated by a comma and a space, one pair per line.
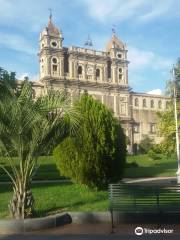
22, 203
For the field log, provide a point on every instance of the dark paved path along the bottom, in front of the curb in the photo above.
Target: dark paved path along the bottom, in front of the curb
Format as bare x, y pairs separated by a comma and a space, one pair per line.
95, 231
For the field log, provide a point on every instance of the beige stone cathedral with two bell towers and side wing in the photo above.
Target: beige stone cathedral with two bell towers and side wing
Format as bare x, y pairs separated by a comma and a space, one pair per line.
104, 75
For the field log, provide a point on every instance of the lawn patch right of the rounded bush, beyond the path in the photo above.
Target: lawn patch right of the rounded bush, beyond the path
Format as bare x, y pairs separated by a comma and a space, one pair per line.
147, 167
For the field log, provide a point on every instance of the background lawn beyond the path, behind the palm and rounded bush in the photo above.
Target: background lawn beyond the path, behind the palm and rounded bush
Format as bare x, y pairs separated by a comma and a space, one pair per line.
146, 168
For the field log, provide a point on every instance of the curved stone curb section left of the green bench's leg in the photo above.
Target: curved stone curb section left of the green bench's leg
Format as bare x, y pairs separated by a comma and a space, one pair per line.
34, 224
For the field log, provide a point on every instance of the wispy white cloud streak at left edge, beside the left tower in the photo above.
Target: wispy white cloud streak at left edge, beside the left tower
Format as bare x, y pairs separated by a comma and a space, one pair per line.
16, 42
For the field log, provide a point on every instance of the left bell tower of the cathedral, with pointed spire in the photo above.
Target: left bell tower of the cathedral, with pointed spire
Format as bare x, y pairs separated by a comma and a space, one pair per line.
51, 56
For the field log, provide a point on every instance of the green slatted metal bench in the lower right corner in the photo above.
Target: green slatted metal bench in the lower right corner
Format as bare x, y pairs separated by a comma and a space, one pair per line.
136, 199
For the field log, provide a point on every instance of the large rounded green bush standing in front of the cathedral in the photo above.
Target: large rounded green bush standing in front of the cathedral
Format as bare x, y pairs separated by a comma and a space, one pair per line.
96, 155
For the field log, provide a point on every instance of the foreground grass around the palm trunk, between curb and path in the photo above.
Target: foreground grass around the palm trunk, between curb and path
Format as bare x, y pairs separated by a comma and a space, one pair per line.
53, 198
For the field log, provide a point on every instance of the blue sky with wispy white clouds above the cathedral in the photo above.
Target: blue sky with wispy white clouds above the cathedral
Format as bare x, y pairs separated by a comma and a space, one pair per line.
150, 29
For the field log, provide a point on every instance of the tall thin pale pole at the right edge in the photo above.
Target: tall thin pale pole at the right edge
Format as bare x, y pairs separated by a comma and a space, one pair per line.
176, 122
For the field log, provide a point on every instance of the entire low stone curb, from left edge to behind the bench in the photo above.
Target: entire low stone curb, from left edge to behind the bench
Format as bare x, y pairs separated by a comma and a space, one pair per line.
37, 224
